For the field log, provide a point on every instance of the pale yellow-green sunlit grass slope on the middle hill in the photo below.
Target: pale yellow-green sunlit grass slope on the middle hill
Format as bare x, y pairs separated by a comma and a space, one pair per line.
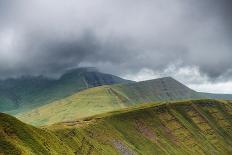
86, 103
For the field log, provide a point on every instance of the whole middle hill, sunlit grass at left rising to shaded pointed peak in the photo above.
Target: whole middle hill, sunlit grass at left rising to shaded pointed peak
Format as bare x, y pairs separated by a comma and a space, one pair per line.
108, 98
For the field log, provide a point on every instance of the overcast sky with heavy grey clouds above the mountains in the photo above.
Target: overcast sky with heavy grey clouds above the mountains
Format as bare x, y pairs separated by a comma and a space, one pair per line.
190, 40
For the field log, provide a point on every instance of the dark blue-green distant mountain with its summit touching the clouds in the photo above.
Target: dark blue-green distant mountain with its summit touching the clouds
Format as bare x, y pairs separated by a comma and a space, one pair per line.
28, 92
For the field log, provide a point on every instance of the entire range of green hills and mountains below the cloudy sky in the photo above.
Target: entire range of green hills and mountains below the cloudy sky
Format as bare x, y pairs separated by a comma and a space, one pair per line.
87, 112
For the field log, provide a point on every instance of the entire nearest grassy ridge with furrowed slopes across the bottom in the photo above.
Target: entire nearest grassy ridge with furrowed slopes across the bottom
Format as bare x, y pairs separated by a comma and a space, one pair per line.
187, 127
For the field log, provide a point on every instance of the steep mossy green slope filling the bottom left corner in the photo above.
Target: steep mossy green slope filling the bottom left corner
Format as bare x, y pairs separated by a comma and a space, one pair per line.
19, 138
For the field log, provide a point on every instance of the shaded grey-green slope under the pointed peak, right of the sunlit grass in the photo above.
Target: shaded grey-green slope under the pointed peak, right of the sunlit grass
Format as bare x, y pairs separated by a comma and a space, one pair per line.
156, 90
